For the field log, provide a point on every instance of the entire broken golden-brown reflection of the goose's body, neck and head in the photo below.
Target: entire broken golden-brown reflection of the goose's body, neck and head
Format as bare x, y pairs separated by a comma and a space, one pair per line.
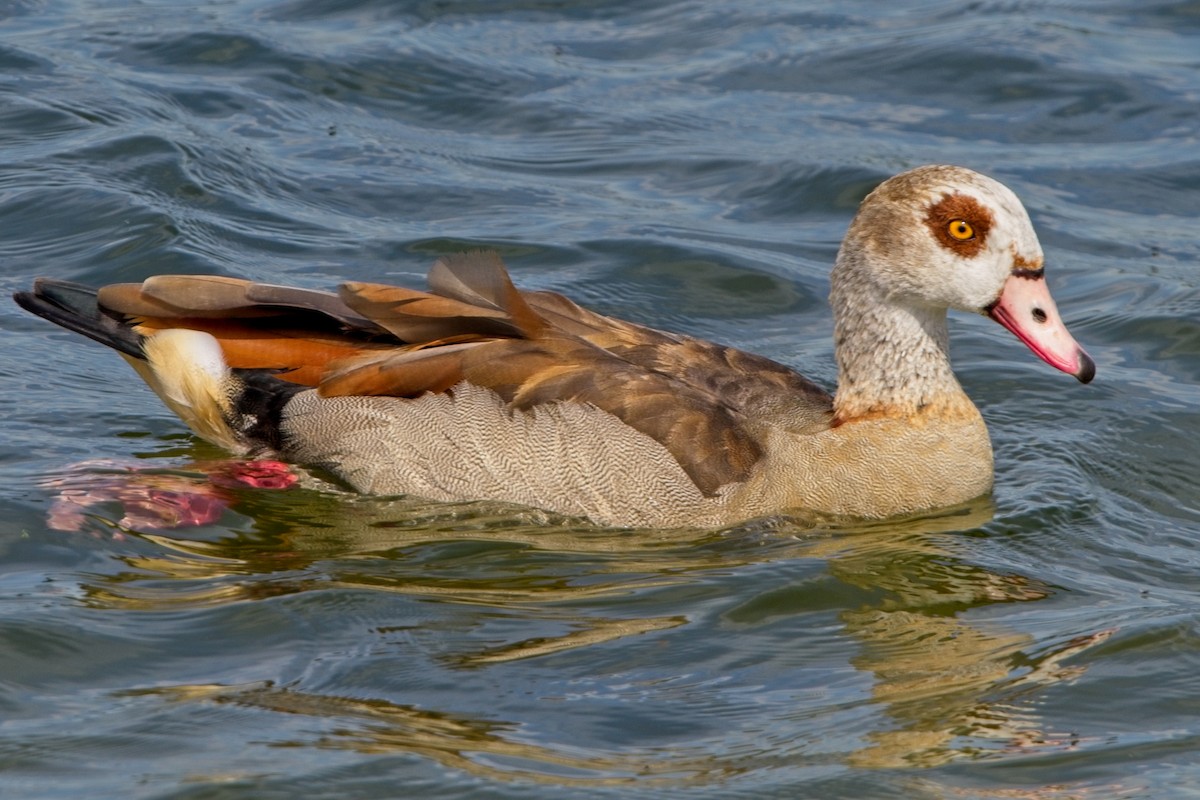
949, 685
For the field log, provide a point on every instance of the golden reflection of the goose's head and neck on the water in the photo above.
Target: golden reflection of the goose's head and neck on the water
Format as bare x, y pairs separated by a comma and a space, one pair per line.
953, 687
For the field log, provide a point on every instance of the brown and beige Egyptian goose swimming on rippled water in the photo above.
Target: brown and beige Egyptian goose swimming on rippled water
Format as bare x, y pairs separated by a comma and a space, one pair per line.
479, 392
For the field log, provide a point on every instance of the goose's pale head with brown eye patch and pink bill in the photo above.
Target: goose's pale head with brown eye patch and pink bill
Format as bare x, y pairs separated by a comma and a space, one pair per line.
941, 237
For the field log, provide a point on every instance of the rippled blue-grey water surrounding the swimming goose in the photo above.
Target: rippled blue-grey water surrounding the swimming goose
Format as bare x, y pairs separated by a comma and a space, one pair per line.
687, 165
